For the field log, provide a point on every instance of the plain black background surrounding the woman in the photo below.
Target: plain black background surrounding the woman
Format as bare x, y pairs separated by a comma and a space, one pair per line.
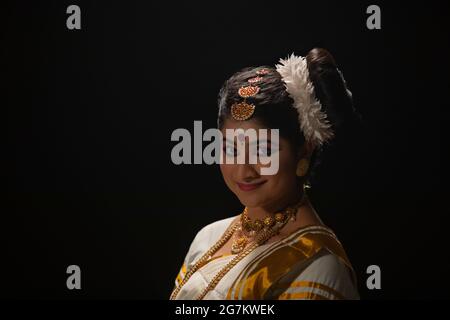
88, 114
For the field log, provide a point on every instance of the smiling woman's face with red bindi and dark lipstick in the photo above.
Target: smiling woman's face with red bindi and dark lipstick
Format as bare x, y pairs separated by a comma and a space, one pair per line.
245, 180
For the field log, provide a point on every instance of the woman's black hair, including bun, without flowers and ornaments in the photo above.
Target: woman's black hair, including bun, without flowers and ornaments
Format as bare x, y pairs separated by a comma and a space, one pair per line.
274, 107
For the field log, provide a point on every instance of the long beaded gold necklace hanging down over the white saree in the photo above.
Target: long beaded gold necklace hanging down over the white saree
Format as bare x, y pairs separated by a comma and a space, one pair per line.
261, 238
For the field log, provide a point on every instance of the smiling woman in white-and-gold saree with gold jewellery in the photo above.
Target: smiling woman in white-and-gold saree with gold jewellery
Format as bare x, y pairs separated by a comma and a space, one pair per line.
278, 247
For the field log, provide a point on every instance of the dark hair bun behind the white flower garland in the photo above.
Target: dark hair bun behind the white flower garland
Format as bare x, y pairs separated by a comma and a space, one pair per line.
331, 89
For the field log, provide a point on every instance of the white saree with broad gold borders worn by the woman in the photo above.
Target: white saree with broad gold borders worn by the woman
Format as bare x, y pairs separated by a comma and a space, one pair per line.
309, 264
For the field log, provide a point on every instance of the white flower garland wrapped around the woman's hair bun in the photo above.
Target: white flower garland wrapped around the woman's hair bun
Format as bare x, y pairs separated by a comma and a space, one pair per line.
313, 121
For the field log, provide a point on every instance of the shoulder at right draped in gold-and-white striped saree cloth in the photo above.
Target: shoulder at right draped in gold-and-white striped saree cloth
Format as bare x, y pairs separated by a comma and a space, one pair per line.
310, 258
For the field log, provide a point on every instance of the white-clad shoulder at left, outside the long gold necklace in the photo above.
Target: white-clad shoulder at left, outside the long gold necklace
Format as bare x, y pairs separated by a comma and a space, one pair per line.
205, 238
